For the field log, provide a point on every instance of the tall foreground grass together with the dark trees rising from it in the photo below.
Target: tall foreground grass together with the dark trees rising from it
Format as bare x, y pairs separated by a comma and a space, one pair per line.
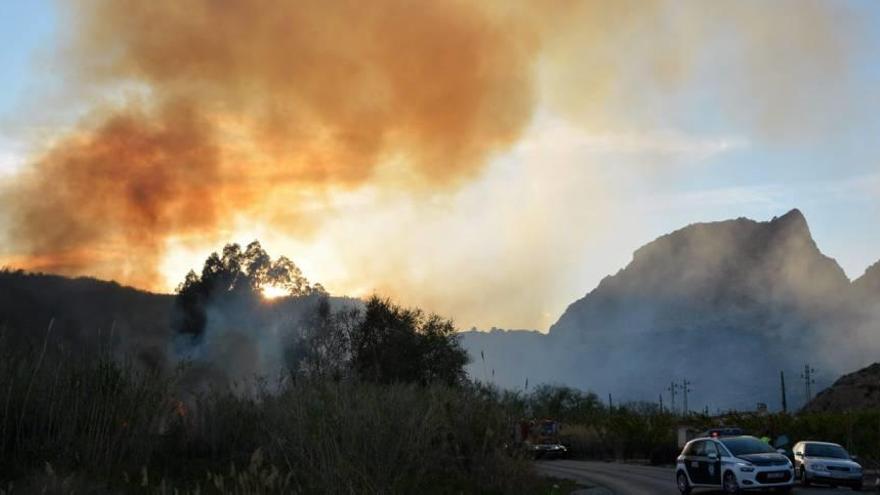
371, 400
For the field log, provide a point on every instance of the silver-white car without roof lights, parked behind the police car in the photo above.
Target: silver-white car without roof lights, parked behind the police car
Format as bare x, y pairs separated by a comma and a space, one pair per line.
829, 463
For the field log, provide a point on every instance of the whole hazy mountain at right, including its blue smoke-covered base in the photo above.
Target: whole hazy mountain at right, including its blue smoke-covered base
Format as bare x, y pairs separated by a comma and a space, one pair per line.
725, 305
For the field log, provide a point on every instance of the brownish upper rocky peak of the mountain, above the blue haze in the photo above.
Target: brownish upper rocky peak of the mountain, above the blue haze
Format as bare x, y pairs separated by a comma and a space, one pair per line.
718, 268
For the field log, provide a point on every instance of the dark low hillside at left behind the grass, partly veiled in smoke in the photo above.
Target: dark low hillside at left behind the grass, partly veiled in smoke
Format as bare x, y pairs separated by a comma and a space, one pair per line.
89, 314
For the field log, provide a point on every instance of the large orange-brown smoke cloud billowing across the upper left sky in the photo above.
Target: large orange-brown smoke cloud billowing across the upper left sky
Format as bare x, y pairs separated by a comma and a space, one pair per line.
238, 97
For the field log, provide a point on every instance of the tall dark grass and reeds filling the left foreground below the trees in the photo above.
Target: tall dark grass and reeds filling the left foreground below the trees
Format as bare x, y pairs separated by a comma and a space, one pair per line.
75, 424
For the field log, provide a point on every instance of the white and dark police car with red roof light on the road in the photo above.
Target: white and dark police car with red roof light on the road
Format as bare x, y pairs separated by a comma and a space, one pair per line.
734, 464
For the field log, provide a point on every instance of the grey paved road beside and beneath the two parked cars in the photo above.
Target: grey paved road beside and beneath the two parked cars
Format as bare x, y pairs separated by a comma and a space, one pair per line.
628, 479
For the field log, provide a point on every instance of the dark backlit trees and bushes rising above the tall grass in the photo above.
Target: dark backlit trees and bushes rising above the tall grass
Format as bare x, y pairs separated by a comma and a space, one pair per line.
376, 340
